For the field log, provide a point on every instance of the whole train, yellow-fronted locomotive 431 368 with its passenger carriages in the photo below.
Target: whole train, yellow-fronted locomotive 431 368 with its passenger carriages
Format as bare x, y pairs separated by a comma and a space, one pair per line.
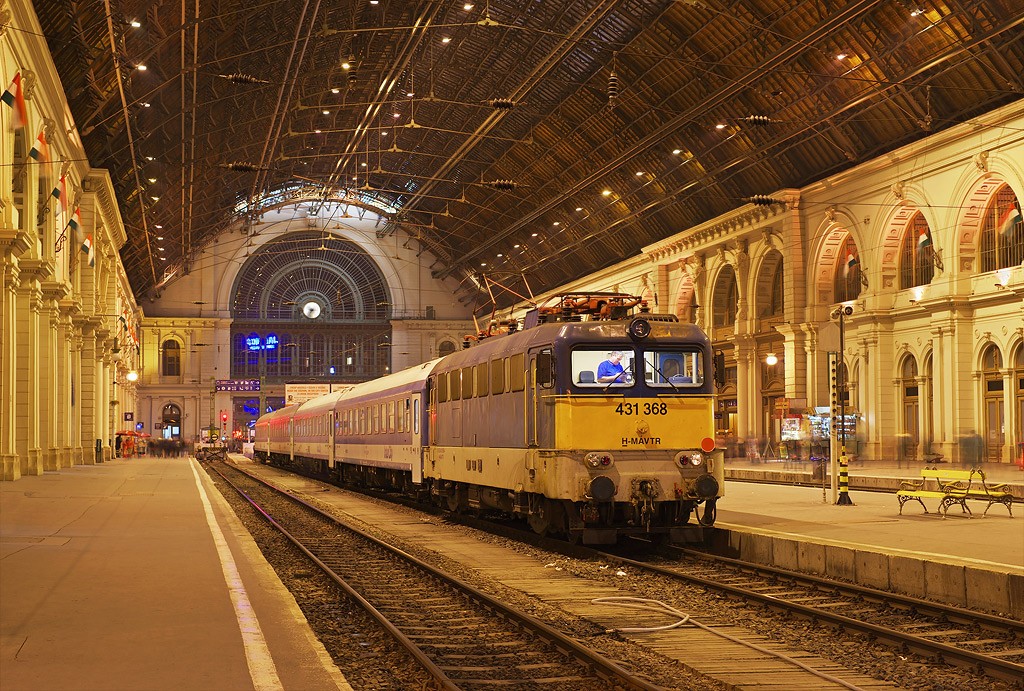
531, 424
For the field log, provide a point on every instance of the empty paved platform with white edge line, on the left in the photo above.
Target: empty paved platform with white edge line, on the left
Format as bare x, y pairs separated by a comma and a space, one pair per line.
136, 575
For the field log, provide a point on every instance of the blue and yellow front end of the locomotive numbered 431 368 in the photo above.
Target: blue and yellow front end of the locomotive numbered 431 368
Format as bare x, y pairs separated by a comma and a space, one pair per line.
633, 428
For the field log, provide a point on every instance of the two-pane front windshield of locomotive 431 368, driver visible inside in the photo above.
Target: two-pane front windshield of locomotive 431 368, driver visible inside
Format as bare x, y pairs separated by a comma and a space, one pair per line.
668, 368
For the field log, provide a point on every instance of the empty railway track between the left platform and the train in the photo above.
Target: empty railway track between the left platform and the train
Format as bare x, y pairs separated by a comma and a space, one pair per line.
461, 637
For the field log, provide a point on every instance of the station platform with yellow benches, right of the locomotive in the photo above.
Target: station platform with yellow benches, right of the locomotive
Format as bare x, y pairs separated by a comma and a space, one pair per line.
778, 513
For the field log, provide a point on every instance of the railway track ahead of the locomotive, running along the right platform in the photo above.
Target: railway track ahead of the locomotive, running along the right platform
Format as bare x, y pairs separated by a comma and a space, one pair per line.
988, 643
